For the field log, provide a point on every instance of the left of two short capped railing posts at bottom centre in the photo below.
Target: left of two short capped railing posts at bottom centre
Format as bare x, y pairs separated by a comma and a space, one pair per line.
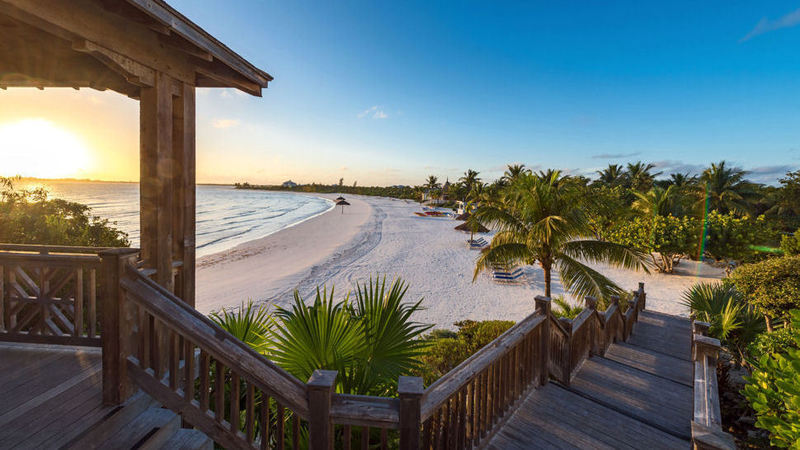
320, 392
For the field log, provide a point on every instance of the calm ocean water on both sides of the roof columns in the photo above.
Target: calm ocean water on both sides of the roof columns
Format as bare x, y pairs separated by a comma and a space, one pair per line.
226, 216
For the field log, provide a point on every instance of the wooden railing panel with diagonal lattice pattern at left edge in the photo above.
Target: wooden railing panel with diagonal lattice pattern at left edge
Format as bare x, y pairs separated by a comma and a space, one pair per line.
49, 294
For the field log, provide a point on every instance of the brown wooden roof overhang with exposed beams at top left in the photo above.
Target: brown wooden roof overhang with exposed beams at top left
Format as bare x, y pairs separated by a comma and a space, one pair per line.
114, 44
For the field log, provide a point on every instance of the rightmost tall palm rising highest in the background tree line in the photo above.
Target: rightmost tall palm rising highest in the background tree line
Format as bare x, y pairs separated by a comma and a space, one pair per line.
723, 188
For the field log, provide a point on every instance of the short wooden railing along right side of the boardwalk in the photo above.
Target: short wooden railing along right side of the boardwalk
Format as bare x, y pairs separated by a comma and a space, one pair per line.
707, 422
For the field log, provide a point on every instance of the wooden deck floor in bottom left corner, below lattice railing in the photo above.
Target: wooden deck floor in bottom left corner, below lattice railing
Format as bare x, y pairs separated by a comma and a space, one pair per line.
51, 394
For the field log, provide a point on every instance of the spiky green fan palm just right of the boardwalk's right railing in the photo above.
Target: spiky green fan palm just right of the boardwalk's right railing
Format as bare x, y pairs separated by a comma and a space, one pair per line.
733, 321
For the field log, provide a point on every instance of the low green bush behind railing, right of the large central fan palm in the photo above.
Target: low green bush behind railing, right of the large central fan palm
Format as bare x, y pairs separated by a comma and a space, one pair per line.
447, 349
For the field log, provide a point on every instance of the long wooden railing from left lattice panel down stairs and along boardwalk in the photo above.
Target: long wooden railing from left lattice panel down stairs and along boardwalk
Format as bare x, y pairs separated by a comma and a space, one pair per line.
153, 341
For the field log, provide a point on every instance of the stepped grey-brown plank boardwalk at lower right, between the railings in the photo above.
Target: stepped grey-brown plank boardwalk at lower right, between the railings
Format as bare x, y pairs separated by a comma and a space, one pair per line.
639, 395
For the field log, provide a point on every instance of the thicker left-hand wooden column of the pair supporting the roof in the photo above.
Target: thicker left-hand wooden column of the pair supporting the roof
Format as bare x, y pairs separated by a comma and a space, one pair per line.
156, 178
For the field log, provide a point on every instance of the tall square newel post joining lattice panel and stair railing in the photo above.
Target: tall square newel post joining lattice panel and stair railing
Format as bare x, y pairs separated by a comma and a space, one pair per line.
115, 325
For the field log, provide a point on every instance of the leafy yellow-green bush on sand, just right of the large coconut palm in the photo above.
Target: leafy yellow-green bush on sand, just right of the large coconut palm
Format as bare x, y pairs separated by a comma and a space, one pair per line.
669, 236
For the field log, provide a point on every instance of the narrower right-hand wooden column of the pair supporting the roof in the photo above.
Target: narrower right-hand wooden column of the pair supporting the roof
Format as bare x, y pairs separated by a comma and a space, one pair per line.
183, 226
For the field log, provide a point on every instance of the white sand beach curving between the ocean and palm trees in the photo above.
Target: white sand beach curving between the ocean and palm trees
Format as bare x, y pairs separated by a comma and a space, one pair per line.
383, 236
